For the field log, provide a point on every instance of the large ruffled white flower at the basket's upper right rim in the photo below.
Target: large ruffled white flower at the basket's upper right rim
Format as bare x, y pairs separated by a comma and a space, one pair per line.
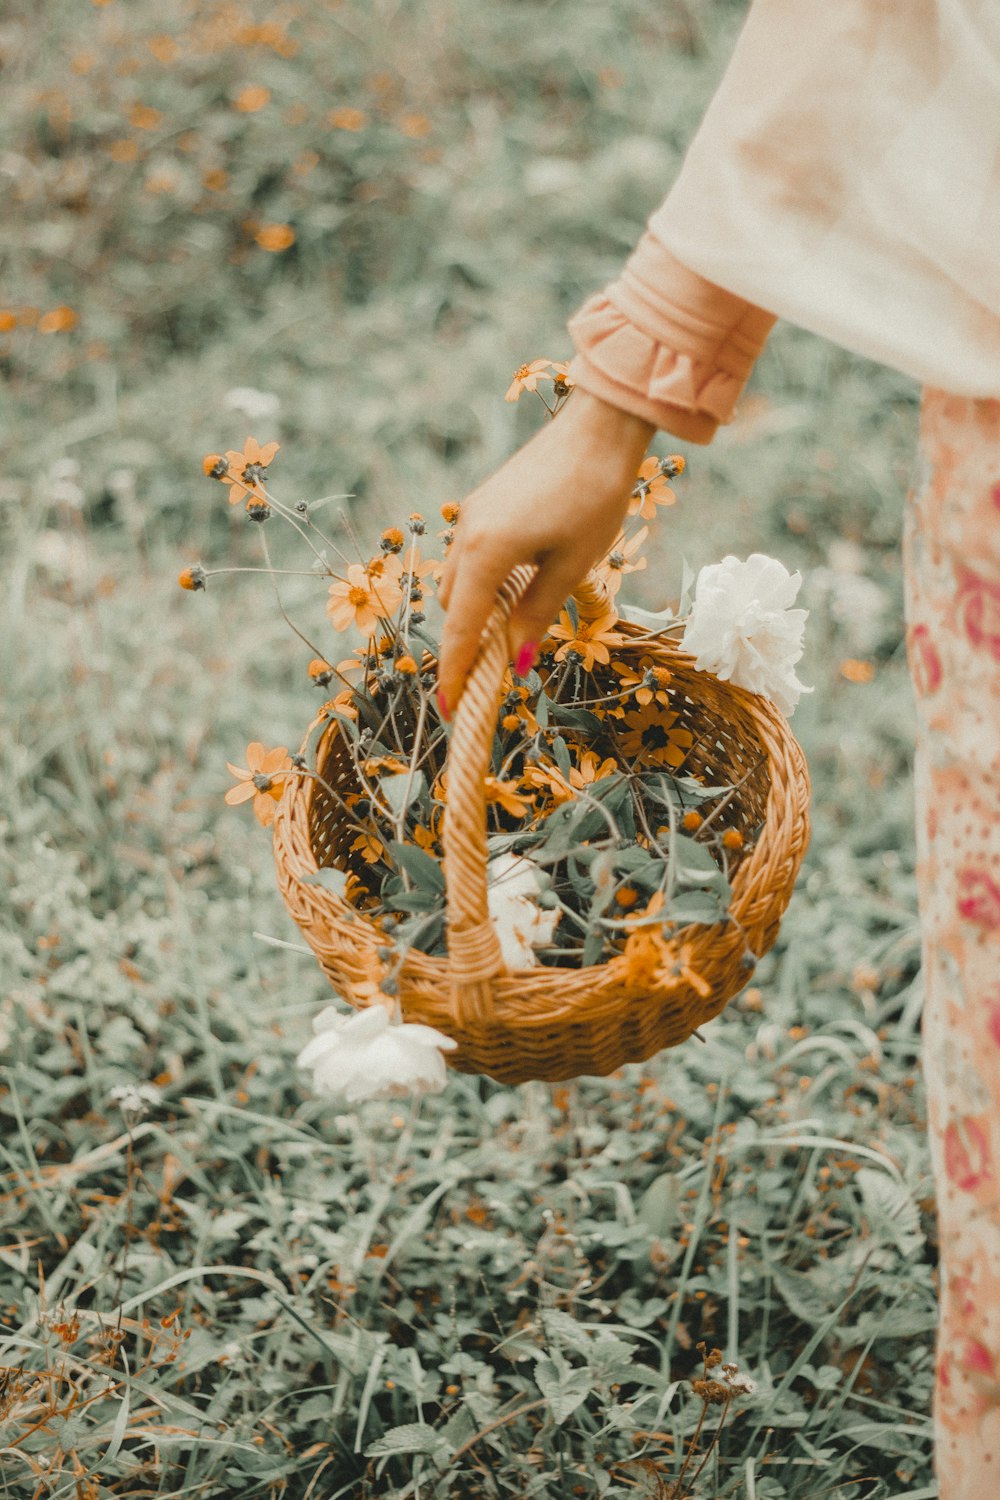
743, 629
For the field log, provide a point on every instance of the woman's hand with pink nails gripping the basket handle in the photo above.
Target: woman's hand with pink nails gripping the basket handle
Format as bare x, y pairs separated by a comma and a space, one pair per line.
558, 502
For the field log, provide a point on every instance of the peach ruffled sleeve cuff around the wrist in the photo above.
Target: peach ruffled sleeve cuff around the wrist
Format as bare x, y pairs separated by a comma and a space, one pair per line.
666, 344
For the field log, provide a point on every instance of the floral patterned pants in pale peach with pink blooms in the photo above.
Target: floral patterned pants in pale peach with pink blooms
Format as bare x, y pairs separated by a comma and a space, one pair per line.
951, 553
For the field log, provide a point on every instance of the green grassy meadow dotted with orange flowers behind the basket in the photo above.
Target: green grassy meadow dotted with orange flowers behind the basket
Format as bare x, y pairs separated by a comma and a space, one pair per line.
227, 1288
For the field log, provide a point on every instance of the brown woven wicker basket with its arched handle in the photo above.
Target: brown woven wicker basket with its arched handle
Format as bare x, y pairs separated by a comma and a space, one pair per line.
546, 1022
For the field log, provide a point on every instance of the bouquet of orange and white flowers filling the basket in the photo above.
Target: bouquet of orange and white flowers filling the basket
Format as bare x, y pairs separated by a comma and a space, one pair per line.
600, 839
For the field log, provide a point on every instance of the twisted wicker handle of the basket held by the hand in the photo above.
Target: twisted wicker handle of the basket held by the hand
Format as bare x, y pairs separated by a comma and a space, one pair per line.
475, 953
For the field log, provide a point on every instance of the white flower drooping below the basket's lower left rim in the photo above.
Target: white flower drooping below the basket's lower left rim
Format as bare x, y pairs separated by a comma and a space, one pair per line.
365, 1055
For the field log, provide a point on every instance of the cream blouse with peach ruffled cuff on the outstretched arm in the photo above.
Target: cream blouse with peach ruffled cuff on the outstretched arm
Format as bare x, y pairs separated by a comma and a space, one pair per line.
846, 176
